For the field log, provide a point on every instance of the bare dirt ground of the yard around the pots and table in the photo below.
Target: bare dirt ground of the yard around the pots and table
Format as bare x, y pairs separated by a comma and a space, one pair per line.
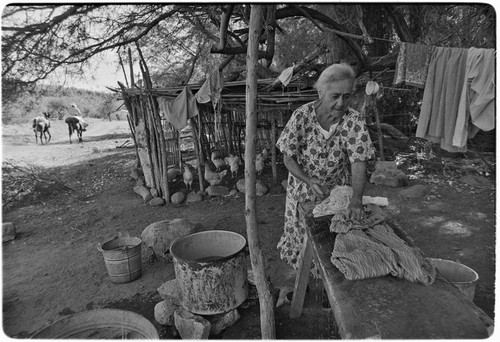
53, 268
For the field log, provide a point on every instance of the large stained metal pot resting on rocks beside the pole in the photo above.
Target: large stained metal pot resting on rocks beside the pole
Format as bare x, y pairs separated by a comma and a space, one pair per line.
211, 271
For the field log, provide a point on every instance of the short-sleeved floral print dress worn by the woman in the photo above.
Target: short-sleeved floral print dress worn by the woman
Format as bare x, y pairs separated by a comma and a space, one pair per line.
327, 159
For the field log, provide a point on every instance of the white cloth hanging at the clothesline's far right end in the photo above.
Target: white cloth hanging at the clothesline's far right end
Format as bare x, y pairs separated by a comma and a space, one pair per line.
477, 101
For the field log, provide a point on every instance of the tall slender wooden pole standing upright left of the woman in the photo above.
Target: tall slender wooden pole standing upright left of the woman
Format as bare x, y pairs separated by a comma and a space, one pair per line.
267, 323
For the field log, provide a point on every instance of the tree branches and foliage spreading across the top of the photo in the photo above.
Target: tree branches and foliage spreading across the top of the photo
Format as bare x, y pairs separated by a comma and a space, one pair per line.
181, 42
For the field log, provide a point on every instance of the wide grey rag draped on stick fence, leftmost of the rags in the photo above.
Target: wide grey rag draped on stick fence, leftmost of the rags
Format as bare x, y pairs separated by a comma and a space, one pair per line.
179, 110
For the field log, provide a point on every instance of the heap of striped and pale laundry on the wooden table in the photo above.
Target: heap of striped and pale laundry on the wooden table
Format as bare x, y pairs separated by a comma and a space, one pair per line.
369, 248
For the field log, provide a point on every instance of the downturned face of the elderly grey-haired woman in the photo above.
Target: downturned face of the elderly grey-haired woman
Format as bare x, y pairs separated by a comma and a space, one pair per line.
335, 96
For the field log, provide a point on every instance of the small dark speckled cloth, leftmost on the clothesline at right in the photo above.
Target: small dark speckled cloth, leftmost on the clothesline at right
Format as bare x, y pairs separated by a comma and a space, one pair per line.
412, 64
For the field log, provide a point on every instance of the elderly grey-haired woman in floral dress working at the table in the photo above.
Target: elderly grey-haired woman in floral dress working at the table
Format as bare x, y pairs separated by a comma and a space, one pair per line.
325, 143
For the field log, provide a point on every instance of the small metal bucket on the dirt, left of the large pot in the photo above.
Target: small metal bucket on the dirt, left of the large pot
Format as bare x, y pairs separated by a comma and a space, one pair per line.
122, 256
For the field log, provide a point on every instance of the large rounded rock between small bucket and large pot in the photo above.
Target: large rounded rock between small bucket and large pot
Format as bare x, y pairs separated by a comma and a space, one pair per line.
159, 235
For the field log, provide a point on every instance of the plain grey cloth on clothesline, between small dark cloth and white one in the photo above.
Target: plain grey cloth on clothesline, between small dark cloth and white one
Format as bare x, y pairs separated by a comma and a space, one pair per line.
443, 88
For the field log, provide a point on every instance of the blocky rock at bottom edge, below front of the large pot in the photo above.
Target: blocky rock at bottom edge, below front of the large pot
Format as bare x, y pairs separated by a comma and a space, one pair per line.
191, 326
